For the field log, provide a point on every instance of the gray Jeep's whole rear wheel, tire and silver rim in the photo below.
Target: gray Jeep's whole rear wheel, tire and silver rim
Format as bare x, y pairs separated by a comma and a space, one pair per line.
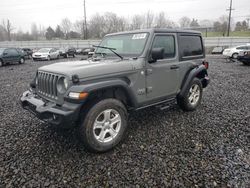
192, 97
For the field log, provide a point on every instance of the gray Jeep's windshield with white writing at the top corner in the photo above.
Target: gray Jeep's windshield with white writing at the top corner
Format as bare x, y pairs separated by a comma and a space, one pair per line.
125, 45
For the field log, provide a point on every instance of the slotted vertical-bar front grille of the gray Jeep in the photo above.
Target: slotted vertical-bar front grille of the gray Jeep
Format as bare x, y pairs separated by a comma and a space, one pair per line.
46, 84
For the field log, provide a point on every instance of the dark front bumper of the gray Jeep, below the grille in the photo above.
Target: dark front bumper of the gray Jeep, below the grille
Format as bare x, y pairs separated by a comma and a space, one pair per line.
65, 115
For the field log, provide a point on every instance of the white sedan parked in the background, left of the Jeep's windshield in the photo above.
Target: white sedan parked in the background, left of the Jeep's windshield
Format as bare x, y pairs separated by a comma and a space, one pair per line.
46, 54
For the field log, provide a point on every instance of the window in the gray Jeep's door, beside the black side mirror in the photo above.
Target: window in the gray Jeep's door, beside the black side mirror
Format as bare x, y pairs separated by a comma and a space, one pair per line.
167, 42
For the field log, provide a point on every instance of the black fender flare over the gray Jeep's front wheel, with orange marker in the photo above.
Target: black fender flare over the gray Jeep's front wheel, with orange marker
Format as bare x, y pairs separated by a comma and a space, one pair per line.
106, 84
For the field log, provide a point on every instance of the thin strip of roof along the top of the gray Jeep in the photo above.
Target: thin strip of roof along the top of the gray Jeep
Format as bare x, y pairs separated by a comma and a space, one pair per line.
158, 30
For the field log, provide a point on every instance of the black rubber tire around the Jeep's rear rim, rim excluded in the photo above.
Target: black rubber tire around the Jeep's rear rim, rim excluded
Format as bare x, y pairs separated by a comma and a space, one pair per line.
184, 102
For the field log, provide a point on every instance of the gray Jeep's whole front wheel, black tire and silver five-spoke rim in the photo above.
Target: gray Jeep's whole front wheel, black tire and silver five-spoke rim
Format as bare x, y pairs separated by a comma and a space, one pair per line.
104, 125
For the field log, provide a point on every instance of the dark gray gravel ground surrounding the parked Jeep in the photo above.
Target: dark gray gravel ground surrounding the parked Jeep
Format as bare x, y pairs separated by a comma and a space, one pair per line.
171, 148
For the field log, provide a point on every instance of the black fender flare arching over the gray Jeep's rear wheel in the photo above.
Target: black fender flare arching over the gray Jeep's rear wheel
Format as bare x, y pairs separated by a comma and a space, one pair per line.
190, 76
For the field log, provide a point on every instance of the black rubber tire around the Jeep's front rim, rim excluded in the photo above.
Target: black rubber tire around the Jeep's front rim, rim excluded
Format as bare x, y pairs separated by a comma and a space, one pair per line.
90, 115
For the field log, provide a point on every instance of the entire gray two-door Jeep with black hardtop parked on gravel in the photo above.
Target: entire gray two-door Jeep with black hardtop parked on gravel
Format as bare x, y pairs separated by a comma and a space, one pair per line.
128, 71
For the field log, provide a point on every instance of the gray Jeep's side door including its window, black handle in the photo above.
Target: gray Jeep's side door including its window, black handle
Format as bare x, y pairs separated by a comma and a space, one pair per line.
162, 76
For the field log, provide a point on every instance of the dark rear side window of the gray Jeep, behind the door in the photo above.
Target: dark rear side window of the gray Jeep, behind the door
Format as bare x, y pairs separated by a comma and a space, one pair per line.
190, 46
